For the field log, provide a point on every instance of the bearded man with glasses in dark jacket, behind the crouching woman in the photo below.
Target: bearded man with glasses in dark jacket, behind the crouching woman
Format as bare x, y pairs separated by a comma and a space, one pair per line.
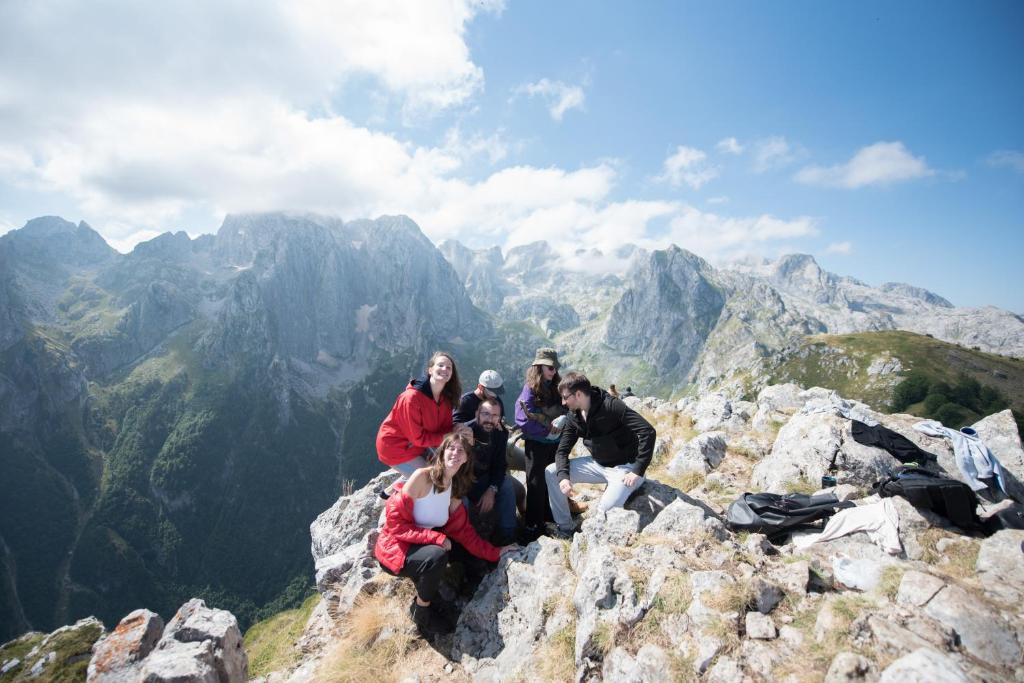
494, 493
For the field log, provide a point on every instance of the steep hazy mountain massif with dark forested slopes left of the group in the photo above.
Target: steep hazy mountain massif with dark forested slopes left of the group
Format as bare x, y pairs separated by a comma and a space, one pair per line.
173, 419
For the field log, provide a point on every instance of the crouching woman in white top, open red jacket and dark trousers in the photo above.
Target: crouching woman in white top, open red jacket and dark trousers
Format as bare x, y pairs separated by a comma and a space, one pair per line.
422, 519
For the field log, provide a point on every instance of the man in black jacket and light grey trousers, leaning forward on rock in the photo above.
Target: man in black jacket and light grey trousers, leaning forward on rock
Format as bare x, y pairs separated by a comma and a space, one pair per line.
621, 443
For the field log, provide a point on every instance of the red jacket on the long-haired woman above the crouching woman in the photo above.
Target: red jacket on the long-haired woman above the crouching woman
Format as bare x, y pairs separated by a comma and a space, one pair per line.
416, 422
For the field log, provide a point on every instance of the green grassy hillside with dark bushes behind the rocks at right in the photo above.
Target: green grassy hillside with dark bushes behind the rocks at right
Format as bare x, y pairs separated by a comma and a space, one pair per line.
980, 382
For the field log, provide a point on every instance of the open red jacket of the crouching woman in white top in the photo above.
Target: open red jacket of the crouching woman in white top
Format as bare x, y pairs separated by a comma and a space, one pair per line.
400, 532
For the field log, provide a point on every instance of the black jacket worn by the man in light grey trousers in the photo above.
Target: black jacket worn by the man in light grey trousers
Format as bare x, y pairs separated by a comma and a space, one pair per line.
615, 434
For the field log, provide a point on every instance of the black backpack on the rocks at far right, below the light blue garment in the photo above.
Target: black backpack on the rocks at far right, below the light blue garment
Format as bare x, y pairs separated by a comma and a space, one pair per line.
930, 491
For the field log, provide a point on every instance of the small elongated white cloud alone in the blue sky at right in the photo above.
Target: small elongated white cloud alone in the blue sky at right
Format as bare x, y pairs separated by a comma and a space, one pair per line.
879, 164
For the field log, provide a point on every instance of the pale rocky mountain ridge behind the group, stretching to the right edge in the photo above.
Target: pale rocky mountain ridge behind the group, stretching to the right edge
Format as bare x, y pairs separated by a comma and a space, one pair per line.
671, 320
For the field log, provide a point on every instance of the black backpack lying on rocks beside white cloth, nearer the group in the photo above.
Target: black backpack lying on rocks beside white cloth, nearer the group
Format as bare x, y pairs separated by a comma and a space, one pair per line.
775, 516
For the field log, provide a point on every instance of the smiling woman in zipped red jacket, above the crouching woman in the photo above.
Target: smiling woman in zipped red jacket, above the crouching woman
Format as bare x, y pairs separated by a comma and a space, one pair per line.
420, 418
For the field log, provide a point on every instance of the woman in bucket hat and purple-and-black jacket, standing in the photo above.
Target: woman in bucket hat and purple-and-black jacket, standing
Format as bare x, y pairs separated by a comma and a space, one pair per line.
539, 405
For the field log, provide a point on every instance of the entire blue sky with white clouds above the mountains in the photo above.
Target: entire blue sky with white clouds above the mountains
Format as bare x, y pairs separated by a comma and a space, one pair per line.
885, 139
